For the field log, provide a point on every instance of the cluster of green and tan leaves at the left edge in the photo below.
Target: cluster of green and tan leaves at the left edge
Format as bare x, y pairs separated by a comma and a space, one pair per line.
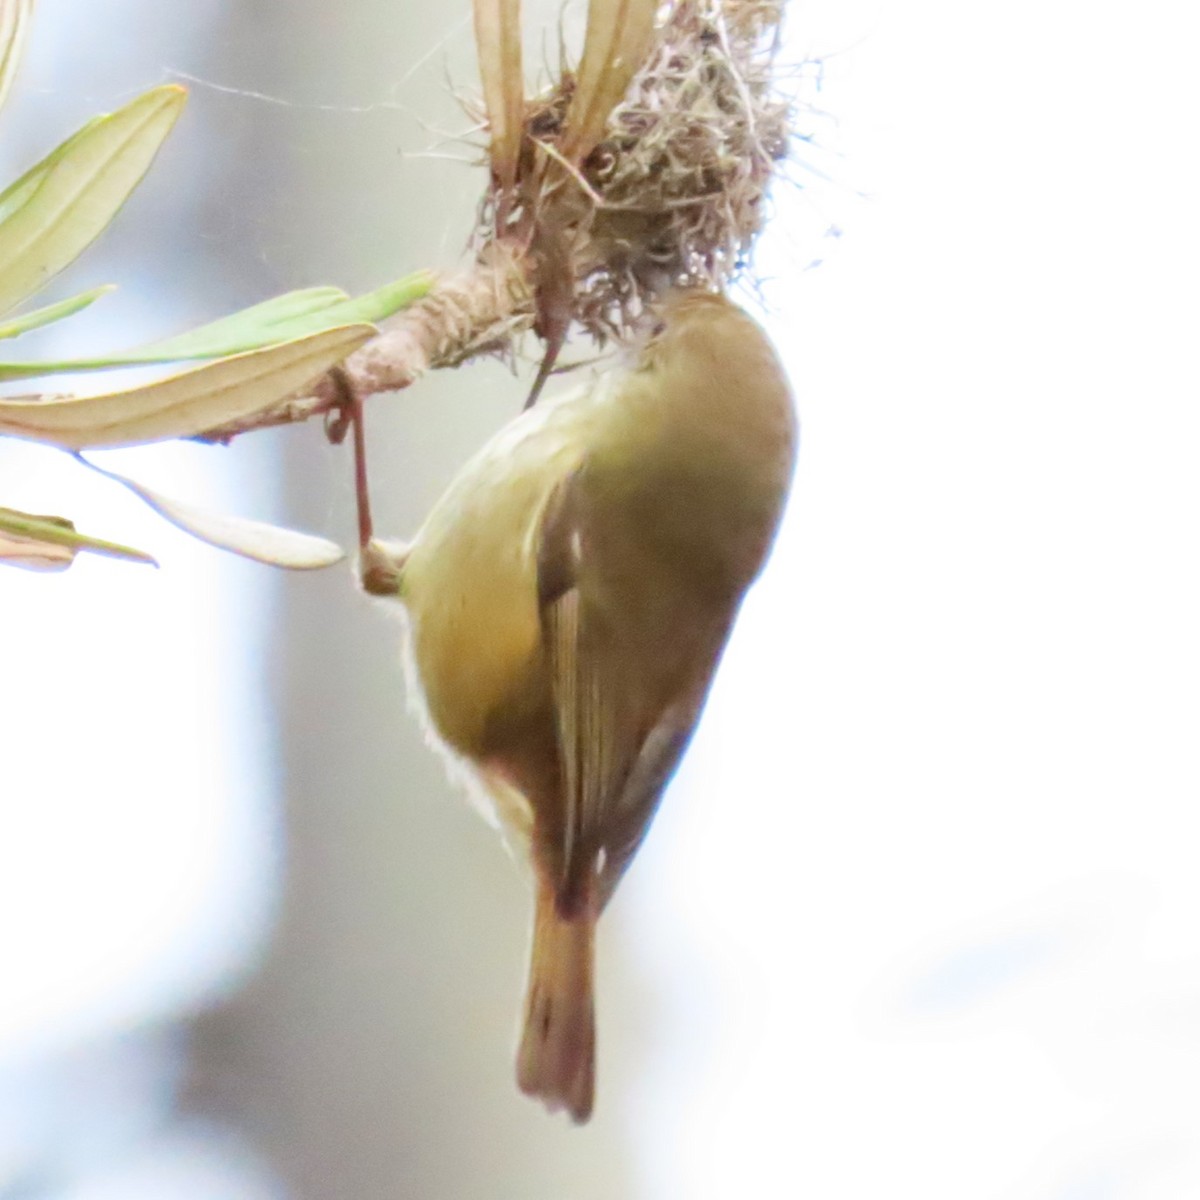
250, 361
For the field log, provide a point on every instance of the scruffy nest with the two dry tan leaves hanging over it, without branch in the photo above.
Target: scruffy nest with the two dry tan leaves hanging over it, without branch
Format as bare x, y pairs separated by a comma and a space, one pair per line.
645, 169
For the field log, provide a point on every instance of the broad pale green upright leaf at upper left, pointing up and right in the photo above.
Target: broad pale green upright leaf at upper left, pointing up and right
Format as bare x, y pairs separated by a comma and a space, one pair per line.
56, 211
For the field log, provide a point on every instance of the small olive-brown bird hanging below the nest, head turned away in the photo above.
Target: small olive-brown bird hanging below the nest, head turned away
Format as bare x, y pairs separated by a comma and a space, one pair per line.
569, 599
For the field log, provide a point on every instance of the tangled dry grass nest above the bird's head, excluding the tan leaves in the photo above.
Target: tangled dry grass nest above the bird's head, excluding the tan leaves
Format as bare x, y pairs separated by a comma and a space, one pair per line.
675, 194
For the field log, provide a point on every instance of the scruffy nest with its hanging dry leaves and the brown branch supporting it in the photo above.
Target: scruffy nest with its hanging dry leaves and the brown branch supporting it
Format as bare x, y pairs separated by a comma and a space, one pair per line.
645, 167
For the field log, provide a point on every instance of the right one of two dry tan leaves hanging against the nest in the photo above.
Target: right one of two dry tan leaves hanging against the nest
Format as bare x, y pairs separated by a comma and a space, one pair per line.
619, 39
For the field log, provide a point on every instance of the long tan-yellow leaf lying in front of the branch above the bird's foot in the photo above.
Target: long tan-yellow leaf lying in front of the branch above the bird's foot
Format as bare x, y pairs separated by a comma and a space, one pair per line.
185, 405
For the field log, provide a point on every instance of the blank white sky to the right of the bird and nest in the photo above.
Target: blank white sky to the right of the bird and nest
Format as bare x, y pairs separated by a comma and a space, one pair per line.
933, 905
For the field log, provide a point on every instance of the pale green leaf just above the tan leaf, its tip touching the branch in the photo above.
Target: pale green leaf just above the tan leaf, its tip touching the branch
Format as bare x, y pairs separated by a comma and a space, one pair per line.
285, 319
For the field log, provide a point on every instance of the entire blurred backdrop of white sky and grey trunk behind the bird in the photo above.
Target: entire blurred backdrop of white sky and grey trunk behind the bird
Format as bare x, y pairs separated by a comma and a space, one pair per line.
921, 915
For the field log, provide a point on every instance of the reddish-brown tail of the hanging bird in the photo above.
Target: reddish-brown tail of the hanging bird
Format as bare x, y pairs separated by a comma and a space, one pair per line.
557, 1058
